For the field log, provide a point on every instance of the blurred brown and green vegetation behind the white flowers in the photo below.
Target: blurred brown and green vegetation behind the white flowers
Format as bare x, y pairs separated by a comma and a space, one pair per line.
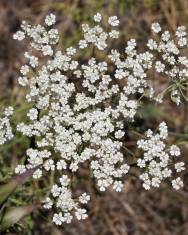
134, 211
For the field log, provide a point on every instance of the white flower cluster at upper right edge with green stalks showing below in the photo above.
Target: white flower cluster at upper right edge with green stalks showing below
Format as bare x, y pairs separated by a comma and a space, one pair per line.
170, 59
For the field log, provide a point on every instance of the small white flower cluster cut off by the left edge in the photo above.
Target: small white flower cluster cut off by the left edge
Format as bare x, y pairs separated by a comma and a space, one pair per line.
5, 126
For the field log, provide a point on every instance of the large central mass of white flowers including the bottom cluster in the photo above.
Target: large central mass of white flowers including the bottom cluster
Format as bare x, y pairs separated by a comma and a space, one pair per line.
80, 109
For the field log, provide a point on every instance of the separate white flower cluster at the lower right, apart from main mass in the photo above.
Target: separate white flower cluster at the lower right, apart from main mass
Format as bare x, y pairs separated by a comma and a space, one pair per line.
158, 160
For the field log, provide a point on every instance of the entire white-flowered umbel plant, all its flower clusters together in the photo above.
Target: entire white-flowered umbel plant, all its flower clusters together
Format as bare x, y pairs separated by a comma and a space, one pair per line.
81, 110
